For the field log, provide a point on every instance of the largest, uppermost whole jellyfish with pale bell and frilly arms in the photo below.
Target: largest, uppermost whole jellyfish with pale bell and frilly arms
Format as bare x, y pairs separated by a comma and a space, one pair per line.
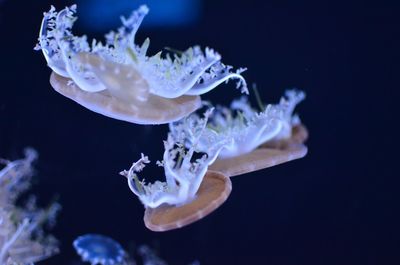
117, 79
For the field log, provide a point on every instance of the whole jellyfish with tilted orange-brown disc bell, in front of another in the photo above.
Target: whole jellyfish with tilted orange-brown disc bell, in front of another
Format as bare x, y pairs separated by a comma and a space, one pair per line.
190, 191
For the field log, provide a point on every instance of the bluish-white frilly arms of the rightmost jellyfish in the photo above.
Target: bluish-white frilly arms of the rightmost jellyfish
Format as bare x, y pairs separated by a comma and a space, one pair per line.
242, 127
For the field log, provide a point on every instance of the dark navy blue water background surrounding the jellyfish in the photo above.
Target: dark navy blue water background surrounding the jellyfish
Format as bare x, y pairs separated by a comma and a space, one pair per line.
336, 206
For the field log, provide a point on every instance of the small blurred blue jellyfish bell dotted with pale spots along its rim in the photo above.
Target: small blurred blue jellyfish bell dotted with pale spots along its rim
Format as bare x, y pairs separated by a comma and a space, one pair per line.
99, 249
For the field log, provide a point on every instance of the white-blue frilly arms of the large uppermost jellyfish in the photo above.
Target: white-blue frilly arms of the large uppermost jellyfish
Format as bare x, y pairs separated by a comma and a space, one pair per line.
191, 72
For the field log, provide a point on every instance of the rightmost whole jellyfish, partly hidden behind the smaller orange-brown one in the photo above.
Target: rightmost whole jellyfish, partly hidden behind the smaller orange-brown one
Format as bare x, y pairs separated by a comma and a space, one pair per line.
258, 139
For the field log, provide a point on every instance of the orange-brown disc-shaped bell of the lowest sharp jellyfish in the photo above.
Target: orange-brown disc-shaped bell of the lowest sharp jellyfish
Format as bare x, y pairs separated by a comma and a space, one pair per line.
214, 190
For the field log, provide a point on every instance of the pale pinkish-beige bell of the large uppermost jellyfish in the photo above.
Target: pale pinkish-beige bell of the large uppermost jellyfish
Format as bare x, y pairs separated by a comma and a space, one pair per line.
154, 110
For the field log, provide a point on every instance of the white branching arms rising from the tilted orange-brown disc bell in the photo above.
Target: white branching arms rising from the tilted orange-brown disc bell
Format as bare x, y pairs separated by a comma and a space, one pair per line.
183, 173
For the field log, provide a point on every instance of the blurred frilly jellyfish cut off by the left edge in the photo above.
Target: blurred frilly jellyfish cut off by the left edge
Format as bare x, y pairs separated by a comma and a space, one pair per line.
22, 237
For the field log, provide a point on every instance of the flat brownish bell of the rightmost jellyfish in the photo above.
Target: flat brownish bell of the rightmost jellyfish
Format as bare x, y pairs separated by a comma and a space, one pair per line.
267, 155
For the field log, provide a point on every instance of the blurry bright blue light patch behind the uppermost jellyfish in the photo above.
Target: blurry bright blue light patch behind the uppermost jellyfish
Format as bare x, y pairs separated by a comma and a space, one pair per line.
103, 15
